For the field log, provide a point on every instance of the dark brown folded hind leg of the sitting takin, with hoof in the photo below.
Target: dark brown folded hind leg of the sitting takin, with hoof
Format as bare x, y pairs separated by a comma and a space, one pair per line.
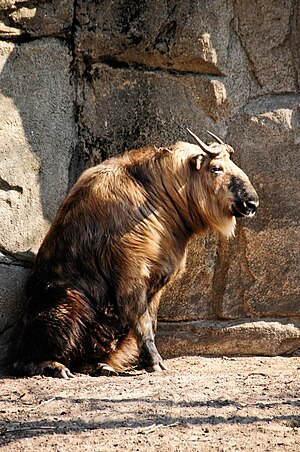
51, 338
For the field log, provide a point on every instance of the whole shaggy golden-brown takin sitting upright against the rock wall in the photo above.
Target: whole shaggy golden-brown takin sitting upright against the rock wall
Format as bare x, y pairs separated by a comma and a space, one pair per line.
118, 238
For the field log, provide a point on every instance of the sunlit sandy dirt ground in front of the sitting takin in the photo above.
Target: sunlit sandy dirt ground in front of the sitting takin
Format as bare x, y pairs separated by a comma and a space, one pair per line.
200, 404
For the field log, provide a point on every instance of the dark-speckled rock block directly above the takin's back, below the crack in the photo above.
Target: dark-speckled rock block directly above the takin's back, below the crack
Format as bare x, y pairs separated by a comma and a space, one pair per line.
122, 109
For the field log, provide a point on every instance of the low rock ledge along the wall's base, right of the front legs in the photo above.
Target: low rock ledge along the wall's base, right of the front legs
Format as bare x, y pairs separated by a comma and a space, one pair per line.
268, 337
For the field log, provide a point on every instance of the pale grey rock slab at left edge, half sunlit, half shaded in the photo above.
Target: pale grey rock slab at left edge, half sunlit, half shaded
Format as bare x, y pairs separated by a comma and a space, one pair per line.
37, 138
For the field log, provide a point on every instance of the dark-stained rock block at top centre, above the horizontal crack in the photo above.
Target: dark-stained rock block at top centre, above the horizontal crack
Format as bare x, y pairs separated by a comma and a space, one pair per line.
182, 36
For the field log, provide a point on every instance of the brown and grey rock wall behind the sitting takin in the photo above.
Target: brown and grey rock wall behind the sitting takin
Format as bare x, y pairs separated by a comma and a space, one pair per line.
84, 80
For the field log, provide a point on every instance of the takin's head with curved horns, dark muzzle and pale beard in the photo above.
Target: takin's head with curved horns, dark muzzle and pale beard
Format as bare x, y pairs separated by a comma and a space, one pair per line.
226, 192
